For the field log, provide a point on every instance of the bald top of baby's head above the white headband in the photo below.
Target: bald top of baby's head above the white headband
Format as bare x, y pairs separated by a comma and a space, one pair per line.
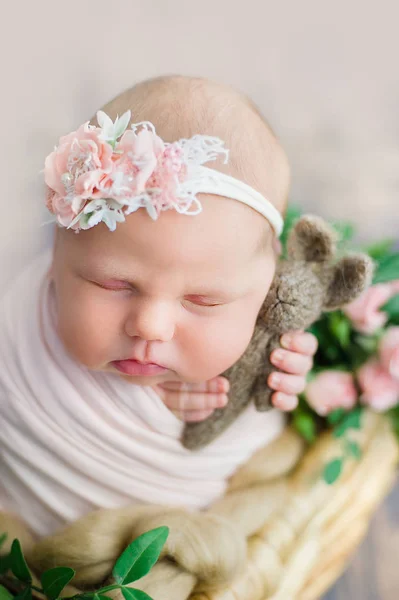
181, 107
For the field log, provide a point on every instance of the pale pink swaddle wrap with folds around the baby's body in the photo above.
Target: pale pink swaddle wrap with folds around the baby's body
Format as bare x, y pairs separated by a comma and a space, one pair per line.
73, 440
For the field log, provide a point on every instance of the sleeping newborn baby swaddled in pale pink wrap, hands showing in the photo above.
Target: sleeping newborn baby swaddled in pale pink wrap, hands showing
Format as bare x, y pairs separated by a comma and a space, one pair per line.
114, 336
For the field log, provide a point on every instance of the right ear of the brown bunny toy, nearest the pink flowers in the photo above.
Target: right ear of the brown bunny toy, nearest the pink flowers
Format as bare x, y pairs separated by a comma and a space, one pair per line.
350, 277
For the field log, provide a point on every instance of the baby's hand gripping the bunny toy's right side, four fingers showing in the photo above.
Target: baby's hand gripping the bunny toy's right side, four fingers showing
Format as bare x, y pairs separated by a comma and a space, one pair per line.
296, 361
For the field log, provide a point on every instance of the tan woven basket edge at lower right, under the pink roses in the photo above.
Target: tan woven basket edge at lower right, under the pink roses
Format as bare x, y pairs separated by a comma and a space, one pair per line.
302, 552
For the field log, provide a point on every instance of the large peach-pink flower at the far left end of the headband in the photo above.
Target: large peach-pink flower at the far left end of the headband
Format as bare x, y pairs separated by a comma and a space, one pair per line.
76, 166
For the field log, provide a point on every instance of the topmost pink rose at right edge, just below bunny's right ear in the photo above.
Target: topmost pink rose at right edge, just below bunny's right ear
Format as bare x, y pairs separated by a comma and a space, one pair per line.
365, 312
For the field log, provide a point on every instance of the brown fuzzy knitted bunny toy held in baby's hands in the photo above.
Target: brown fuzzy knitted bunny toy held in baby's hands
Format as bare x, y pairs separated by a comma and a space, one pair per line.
306, 284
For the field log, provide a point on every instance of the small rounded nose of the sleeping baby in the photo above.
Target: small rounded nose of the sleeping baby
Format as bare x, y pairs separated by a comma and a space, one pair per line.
151, 320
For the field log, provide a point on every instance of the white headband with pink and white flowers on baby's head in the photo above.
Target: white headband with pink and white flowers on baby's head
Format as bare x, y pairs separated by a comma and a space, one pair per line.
94, 176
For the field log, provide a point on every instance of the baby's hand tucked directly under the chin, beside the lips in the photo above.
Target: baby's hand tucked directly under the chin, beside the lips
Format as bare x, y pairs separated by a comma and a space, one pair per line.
194, 401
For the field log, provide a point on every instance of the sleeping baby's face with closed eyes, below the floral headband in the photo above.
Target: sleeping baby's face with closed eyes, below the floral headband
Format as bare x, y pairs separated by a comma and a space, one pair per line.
182, 292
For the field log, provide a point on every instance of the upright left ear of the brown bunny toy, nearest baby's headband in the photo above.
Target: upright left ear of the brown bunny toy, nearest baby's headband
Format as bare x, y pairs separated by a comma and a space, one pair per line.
311, 240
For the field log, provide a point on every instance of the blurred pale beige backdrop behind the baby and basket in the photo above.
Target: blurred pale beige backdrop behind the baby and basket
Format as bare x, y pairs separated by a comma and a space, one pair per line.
324, 73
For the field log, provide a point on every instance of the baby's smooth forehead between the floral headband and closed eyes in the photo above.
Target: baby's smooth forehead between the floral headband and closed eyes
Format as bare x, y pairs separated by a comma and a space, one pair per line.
226, 234
